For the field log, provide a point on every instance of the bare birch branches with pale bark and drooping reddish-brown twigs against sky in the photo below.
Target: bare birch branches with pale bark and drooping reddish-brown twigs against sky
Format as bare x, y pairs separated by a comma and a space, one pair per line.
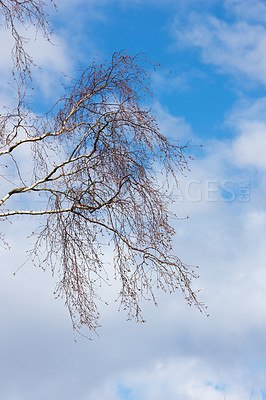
97, 157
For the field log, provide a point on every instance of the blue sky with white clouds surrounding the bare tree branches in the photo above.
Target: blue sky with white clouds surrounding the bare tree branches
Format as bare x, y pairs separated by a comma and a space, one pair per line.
211, 91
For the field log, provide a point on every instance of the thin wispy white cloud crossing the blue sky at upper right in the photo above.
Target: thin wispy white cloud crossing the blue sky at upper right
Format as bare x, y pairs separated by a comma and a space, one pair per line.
237, 48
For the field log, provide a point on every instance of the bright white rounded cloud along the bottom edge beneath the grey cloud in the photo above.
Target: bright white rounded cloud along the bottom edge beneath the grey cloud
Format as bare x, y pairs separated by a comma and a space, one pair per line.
176, 378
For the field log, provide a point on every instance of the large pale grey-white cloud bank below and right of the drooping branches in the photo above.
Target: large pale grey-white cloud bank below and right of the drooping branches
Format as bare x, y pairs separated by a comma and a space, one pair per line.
178, 353
